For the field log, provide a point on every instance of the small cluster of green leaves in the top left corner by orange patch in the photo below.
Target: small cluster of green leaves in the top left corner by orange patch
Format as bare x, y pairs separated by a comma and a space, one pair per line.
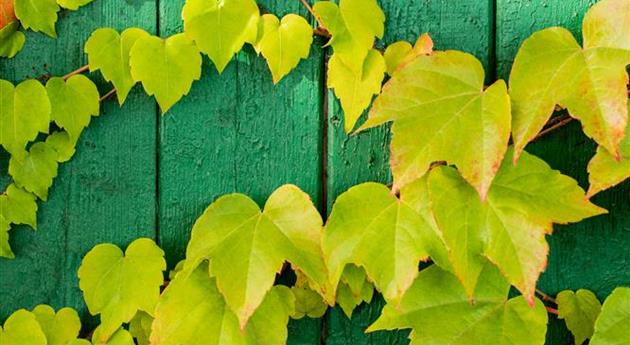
37, 15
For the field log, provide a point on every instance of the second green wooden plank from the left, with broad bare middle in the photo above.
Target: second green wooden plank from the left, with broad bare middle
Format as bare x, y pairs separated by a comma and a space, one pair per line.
237, 132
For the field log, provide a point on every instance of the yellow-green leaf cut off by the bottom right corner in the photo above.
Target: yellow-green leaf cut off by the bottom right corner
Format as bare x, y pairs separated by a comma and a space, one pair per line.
613, 323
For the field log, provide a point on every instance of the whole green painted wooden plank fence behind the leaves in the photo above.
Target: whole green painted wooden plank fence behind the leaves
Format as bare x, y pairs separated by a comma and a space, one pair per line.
138, 174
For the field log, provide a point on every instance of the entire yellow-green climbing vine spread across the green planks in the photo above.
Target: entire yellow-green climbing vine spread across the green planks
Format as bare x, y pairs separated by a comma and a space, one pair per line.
464, 197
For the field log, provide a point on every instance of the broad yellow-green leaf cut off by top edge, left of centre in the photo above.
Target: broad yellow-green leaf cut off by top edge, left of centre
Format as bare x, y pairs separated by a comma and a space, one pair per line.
221, 28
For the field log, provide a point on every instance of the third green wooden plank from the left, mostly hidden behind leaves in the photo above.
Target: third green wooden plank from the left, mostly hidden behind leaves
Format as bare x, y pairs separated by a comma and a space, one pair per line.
465, 25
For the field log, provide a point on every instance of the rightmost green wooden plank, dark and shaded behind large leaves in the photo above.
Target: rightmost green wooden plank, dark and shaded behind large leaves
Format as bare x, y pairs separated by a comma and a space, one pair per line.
592, 254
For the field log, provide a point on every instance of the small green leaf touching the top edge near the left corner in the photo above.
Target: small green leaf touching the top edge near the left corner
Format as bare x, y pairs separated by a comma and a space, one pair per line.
38, 15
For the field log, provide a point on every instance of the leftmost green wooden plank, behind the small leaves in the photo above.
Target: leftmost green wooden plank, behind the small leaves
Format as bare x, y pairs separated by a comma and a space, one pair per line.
107, 192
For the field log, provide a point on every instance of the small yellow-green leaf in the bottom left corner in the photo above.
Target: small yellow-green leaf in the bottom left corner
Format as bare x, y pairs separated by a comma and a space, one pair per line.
22, 328
